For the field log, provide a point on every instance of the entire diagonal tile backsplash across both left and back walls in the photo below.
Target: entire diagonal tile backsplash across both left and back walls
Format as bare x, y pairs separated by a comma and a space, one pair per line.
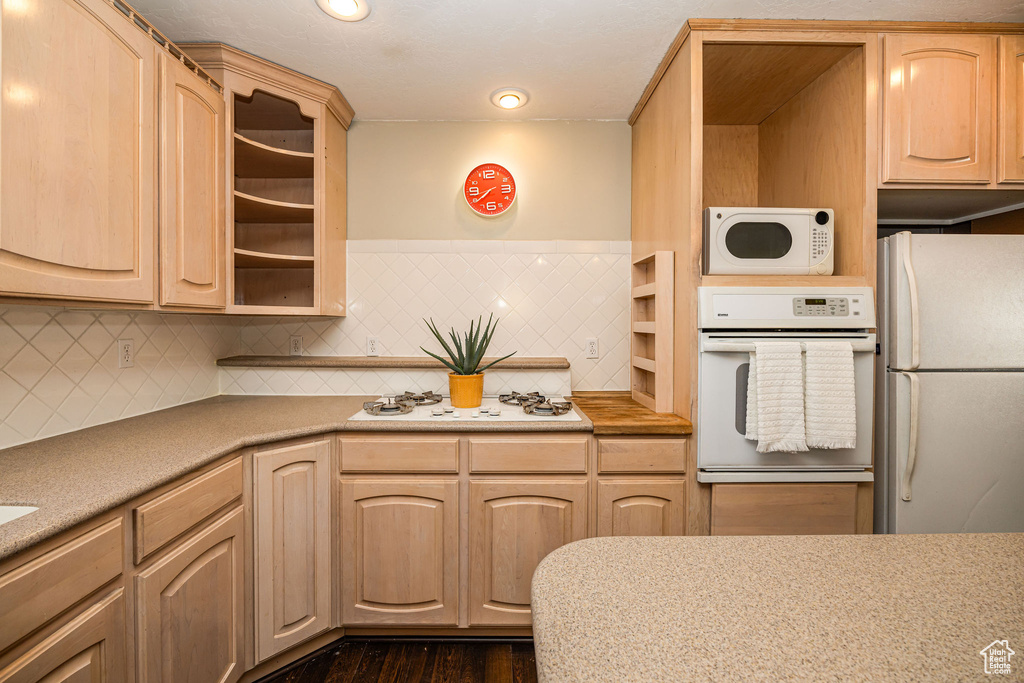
59, 369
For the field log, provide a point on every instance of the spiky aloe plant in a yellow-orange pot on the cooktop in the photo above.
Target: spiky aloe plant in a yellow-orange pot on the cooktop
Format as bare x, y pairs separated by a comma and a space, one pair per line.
466, 378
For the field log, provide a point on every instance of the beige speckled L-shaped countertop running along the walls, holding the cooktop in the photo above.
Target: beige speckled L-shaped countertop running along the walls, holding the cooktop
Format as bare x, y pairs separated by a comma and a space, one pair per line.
79, 476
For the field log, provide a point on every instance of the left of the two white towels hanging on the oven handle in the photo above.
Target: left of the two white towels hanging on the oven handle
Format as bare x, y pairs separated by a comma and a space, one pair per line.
777, 386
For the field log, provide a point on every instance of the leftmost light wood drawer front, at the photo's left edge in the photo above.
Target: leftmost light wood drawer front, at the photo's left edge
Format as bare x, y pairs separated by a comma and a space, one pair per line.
42, 589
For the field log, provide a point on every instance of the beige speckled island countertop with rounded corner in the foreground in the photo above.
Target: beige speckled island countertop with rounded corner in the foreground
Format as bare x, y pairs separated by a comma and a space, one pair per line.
774, 609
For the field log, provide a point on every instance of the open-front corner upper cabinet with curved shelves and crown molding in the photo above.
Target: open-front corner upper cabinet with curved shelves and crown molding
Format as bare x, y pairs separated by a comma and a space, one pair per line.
286, 177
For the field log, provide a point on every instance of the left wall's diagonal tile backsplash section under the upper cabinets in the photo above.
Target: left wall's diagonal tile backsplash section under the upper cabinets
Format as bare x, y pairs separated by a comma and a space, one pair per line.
59, 368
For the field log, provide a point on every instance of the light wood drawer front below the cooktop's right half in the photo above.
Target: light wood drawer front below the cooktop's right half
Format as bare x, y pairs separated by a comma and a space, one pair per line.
528, 455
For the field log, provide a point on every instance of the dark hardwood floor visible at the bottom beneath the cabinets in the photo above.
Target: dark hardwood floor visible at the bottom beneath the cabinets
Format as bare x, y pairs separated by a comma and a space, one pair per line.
399, 661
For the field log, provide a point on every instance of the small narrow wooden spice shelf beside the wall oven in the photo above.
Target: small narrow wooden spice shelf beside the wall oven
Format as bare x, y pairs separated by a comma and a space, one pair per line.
653, 326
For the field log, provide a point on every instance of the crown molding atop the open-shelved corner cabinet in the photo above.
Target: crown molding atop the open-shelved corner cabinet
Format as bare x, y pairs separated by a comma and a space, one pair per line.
221, 56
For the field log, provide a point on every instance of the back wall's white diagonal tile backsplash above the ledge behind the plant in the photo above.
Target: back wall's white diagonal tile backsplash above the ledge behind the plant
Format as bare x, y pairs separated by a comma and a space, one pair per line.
551, 296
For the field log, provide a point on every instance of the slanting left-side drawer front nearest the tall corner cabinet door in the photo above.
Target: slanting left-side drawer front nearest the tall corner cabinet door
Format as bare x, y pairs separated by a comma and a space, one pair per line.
165, 519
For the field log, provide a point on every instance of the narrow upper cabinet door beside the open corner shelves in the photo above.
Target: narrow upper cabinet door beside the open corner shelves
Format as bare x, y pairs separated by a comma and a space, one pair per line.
192, 222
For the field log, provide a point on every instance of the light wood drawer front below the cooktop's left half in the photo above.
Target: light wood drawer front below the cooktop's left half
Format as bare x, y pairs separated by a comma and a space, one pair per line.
400, 455
